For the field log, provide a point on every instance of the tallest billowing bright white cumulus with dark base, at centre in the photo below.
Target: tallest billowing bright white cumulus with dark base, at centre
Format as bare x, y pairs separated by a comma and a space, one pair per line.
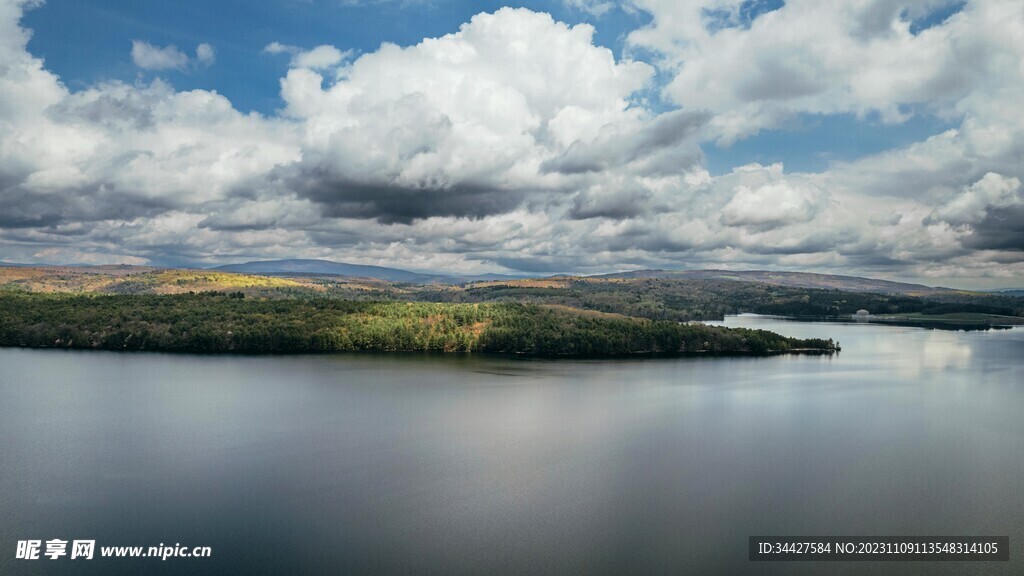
460, 126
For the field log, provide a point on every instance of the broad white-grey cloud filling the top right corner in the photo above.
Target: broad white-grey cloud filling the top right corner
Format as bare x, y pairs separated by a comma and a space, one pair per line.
826, 58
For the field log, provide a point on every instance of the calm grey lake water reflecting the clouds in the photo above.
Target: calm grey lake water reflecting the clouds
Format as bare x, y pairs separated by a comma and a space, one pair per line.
400, 465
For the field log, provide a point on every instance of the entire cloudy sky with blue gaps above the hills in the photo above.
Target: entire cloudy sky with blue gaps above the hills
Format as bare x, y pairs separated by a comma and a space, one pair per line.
868, 138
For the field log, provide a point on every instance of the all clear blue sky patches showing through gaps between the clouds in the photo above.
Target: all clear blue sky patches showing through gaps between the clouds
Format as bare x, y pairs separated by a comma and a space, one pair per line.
90, 42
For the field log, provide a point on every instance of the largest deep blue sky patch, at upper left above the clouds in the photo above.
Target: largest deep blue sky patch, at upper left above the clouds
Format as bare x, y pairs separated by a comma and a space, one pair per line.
90, 40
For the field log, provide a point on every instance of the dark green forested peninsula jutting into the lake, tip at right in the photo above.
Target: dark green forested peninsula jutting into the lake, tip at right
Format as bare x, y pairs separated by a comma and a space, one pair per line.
230, 322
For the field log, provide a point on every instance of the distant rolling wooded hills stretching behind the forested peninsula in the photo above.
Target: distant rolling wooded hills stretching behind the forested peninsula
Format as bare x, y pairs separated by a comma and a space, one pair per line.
680, 298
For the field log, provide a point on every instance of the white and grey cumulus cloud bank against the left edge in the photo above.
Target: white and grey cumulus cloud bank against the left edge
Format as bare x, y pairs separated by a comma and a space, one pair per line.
115, 153
